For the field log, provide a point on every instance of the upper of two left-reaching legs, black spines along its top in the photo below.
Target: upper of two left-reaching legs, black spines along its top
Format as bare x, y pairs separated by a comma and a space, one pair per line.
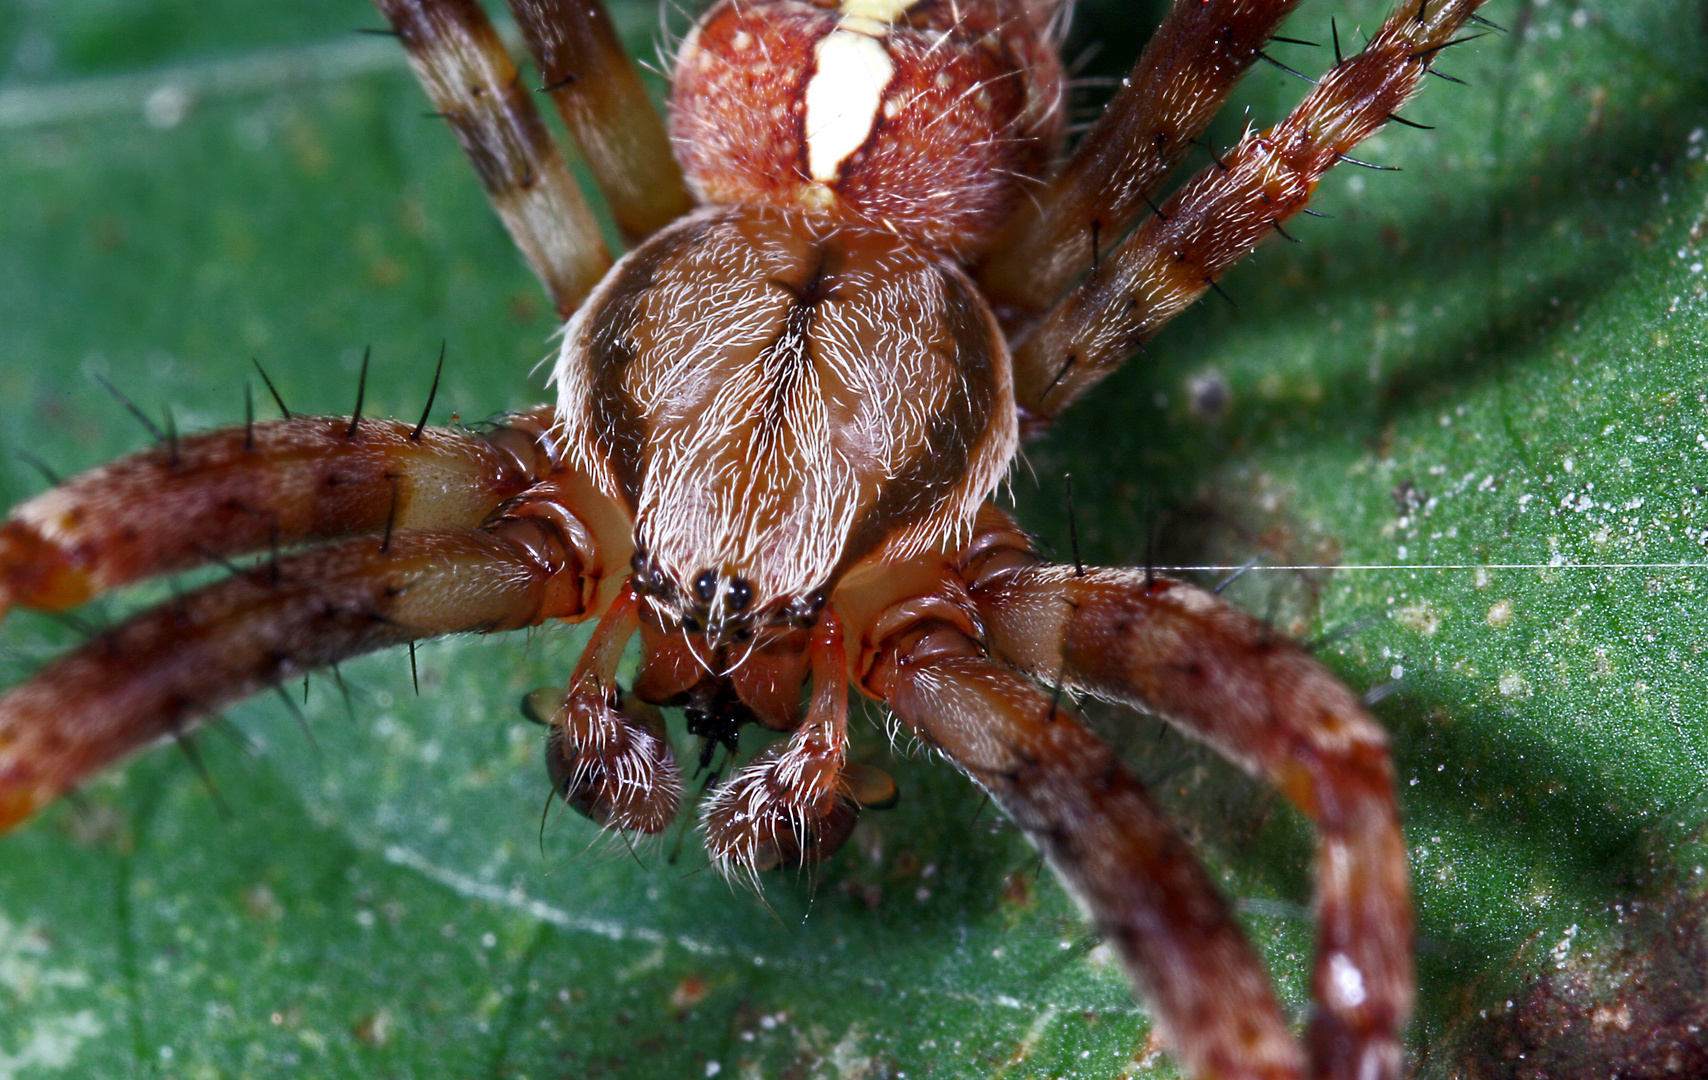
267, 486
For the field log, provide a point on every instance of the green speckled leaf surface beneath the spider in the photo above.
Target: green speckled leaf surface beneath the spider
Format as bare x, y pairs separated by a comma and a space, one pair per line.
1482, 389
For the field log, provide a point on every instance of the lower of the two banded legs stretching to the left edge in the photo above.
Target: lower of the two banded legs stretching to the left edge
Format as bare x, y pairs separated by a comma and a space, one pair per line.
168, 669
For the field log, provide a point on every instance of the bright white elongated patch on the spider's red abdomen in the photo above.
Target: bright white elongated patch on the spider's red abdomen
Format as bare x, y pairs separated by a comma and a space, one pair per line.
843, 98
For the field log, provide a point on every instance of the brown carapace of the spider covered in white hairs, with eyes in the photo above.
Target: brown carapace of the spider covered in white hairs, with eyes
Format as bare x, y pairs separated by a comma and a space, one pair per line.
776, 397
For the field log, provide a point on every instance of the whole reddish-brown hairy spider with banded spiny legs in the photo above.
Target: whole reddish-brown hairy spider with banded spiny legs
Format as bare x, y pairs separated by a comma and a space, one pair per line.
780, 423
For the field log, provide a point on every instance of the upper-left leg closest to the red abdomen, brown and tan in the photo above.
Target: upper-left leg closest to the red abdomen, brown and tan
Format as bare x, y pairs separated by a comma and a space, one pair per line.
607, 110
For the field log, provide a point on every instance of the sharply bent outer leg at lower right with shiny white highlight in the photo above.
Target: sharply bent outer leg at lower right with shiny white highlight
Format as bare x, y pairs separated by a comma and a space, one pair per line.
1225, 678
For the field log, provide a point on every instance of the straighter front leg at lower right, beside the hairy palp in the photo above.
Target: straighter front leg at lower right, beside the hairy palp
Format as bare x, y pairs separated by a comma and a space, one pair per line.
1111, 845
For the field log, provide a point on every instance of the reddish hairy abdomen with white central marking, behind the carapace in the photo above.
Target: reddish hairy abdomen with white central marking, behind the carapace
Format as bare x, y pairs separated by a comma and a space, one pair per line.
918, 117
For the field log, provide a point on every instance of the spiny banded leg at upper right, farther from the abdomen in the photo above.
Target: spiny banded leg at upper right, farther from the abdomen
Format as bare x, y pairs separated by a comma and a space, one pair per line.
1224, 213
